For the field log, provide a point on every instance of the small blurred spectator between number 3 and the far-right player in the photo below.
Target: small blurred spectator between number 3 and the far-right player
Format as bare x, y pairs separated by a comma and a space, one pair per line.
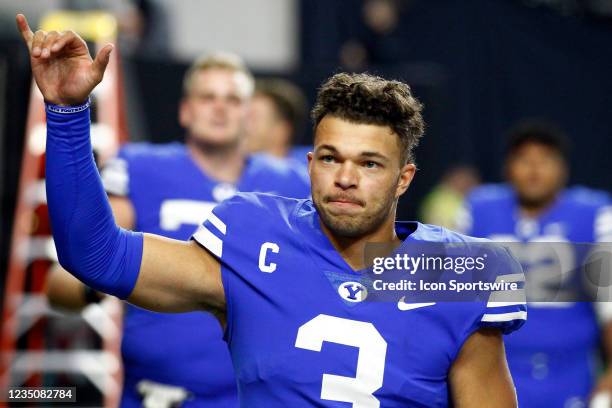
442, 205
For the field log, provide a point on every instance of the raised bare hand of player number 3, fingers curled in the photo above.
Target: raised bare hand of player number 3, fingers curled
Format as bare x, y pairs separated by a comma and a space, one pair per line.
61, 64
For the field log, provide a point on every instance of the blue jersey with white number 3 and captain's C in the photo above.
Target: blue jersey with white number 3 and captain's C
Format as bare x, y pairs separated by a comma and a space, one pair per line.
296, 341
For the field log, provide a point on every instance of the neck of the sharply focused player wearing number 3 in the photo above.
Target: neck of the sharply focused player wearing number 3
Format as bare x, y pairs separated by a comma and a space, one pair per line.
352, 249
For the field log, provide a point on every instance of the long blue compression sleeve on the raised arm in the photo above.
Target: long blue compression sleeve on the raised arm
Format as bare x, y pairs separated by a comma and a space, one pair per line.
89, 244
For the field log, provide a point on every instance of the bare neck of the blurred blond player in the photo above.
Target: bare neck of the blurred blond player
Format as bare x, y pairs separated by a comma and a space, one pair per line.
221, 163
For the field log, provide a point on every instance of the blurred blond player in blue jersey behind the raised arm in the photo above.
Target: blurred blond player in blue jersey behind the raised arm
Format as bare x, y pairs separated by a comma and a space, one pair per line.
169, 189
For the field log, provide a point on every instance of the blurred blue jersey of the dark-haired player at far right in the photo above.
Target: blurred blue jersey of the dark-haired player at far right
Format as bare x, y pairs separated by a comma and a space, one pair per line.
552, 358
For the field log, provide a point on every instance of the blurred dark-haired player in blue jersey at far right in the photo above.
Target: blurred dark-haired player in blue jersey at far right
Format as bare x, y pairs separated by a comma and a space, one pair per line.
552, 360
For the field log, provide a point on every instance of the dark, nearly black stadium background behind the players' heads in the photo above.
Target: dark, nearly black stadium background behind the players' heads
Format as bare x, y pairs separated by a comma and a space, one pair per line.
478, 66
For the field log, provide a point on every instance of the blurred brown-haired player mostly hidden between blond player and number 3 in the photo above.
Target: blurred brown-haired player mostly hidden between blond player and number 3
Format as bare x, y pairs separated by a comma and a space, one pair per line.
277, 118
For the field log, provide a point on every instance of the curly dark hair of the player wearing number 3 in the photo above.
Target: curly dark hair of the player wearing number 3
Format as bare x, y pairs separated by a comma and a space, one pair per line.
369, 99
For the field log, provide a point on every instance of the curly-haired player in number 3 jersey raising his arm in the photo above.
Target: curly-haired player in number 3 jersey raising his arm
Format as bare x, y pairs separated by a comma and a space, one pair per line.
259, 261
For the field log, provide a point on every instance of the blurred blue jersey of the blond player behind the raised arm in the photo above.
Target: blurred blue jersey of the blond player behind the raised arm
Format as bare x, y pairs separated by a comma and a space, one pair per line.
171, 196
